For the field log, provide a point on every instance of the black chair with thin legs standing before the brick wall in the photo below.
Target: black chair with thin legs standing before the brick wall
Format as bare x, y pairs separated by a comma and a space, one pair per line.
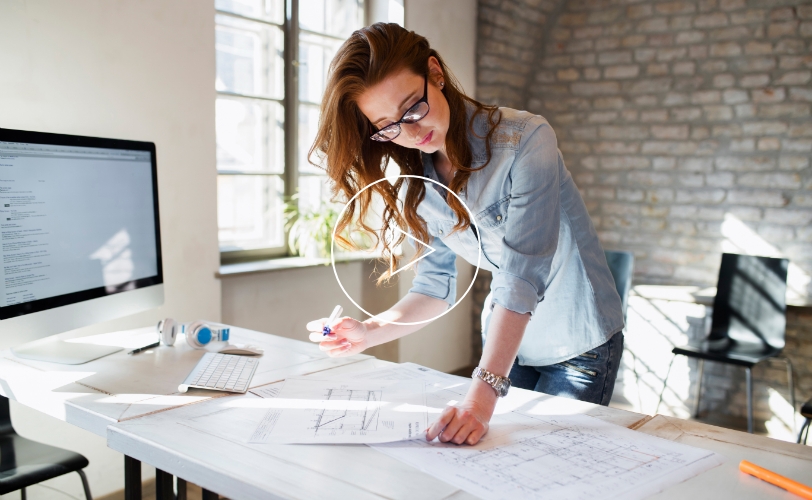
748, 323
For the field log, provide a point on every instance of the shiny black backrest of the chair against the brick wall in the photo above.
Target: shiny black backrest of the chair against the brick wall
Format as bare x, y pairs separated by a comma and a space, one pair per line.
750, 304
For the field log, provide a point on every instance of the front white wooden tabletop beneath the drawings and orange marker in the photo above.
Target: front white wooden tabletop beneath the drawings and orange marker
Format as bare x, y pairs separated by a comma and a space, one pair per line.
240, 470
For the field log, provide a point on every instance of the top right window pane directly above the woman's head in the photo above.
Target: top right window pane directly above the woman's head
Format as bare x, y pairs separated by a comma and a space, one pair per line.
334, 17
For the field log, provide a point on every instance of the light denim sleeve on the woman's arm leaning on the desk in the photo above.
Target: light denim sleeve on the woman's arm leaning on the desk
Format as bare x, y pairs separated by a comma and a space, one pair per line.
533, 219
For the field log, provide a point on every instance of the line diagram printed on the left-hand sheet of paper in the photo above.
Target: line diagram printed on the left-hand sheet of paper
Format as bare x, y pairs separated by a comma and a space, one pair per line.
360, 420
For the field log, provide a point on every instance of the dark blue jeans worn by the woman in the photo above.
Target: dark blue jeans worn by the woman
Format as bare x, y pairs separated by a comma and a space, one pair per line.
588, 377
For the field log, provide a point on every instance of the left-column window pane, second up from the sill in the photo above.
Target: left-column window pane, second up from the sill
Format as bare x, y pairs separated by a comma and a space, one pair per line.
250, 135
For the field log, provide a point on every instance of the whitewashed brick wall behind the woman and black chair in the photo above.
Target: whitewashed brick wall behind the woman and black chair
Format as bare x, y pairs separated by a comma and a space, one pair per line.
688, 129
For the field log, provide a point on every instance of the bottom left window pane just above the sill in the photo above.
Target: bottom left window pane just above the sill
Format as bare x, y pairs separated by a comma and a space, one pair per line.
249, 211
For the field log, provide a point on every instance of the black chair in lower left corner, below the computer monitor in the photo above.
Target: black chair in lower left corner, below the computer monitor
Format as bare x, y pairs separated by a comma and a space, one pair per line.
24, 462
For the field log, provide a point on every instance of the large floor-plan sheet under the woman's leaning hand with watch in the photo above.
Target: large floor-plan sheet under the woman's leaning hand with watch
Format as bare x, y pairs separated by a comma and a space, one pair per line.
569, 456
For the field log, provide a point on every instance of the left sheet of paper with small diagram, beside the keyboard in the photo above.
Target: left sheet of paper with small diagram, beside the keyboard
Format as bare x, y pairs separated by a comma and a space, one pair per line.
344, 411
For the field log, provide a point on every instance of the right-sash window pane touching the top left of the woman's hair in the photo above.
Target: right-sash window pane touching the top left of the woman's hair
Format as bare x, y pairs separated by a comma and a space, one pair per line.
315, 54
